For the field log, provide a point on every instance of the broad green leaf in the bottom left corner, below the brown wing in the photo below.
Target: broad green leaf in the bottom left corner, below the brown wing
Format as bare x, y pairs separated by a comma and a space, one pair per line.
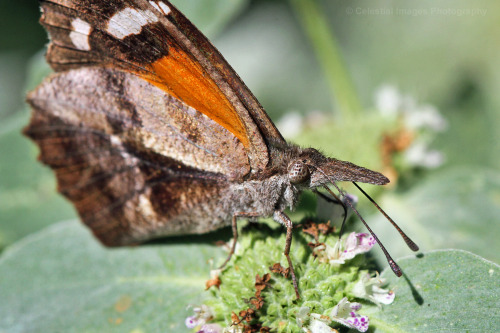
62, 280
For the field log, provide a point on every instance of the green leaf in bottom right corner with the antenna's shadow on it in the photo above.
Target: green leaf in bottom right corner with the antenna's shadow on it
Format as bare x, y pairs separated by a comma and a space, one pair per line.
443, 291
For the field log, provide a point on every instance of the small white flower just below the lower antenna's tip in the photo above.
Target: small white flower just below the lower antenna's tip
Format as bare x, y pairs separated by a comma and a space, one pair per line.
369, 288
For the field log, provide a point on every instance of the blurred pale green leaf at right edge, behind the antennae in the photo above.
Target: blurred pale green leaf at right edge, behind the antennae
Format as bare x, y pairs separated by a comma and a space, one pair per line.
453, 208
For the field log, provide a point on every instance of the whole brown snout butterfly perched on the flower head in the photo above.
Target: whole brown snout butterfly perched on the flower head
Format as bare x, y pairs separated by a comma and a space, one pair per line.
151, 133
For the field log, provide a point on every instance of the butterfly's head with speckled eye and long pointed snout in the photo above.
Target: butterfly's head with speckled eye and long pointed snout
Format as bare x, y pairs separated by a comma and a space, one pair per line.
312, 169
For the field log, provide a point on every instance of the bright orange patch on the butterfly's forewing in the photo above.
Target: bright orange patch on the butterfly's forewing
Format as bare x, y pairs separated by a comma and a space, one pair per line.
184, 78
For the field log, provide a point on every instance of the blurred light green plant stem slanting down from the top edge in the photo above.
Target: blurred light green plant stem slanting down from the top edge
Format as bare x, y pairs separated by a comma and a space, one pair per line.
328, 54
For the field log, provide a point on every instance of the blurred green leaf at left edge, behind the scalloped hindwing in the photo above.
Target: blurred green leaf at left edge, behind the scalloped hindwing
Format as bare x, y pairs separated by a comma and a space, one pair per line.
28, 198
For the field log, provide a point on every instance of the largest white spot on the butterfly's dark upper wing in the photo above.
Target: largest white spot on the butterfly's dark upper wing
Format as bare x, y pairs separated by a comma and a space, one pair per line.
129, 21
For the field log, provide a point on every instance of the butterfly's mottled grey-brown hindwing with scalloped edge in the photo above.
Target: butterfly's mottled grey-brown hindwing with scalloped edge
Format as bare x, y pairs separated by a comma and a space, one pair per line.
136, 162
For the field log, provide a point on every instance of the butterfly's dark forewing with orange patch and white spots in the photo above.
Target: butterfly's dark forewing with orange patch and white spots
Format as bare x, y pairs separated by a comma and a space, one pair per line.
156, 42
